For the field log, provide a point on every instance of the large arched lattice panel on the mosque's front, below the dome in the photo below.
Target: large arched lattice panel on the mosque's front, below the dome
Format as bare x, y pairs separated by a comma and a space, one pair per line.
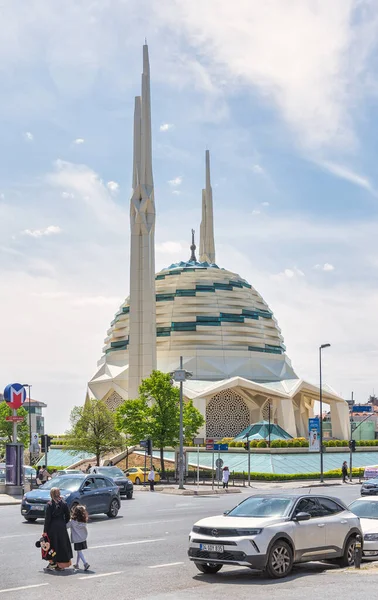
226, 415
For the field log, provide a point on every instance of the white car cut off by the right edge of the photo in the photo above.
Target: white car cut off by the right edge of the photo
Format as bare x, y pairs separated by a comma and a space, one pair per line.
366, 509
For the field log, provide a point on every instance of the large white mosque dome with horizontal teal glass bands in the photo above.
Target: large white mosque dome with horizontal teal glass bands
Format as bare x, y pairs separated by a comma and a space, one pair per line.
214, 319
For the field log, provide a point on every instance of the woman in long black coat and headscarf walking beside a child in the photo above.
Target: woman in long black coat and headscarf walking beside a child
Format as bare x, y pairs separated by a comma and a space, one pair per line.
56, 519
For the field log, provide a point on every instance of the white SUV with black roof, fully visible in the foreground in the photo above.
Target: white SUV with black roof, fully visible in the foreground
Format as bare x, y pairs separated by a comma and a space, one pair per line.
270, 533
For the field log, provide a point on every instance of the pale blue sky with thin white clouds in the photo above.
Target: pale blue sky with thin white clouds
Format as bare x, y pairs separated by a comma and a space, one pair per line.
284, 93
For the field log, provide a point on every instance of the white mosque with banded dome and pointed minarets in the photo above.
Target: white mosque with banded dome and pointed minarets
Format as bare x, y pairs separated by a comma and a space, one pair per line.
212, 317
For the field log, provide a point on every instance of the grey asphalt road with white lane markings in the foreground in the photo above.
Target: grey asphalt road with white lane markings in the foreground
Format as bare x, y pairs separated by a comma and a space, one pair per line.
142, 555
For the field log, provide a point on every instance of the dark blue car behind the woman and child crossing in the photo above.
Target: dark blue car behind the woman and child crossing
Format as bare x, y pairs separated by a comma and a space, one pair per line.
99, 494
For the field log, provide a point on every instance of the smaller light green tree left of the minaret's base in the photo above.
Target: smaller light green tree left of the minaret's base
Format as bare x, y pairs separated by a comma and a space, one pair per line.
93, 429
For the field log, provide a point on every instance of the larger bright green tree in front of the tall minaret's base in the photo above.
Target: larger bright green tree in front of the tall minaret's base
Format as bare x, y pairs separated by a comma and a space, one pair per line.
156, 414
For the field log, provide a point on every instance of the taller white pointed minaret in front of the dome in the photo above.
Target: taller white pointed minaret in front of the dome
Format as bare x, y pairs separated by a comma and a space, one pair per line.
142, 318
